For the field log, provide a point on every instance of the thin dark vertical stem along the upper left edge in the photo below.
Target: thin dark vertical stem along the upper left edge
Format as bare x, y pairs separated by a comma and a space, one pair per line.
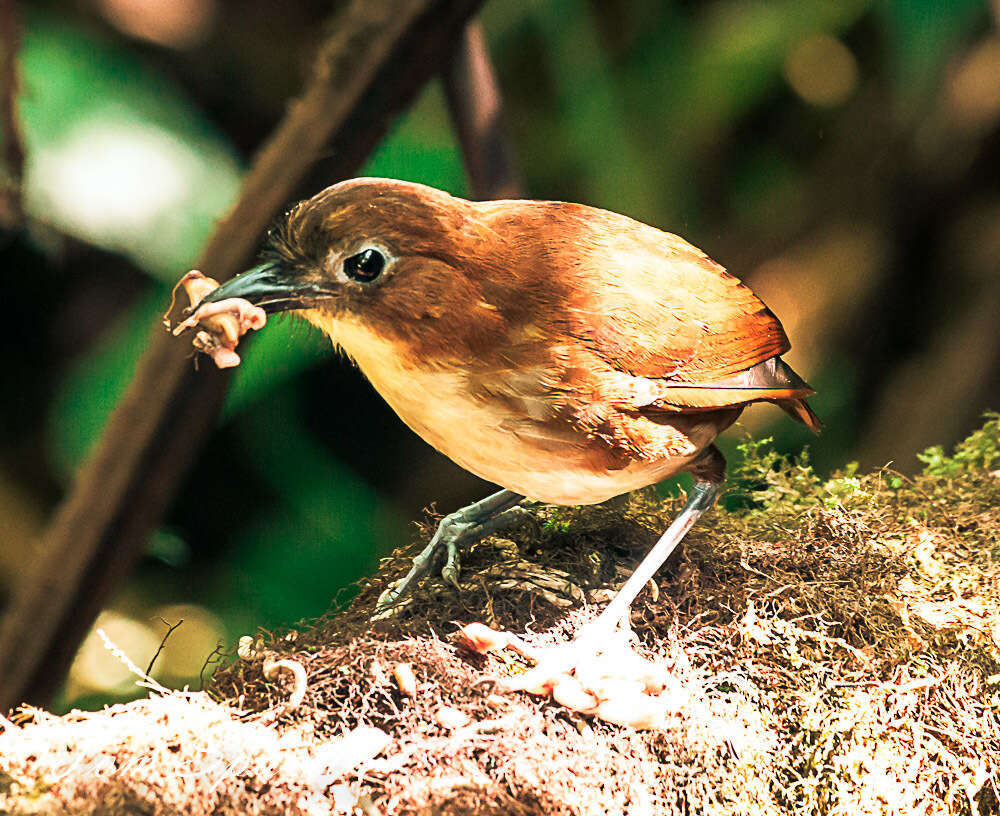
13, 146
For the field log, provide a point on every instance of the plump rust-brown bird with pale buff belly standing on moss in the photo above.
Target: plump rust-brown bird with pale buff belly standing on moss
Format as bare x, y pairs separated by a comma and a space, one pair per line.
564, 352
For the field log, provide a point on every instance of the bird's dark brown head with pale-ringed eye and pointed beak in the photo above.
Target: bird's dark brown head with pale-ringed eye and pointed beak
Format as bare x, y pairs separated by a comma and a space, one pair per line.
380, 260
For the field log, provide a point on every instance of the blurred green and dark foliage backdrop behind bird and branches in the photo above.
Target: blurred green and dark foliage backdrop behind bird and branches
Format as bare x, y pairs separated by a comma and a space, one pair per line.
842, 156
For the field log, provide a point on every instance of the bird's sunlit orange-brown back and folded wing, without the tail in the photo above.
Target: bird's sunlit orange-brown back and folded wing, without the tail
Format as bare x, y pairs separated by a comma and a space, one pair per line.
646, 301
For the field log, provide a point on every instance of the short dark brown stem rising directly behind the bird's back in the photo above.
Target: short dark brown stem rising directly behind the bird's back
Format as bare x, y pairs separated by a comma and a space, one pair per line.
476, 113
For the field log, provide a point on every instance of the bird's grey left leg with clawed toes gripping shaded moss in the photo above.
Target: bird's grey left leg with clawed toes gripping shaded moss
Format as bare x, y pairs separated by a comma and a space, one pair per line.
461, 527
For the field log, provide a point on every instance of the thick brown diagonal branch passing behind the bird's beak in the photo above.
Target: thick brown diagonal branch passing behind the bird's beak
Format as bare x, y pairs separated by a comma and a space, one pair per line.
377, 57
